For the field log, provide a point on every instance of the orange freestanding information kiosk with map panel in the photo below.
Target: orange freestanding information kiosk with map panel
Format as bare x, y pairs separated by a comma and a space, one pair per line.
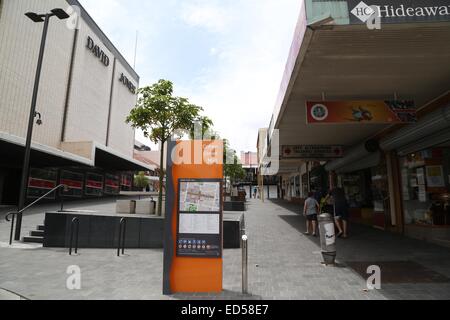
193, 243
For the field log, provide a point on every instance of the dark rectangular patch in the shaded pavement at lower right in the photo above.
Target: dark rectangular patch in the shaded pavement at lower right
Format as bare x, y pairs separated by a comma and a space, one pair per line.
399, 272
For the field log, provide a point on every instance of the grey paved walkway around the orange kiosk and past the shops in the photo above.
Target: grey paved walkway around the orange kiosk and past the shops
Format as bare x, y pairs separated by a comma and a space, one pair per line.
283, 264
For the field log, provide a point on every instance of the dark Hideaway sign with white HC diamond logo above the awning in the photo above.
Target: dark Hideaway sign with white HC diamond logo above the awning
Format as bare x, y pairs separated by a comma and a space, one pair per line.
399, 11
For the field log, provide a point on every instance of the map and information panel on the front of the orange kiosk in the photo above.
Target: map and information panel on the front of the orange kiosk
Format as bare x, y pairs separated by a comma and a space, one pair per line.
199, 218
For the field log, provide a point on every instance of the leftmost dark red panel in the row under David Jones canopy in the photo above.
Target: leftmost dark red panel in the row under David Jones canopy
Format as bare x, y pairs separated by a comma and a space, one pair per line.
40, 182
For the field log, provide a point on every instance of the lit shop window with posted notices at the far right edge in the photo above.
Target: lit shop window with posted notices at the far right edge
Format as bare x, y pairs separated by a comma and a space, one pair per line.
426, 187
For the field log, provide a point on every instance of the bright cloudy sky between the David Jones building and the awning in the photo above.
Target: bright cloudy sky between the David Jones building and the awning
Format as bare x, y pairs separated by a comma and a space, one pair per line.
227, 56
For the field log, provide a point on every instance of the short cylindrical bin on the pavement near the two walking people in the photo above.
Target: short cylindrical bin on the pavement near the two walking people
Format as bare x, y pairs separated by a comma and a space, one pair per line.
327, 238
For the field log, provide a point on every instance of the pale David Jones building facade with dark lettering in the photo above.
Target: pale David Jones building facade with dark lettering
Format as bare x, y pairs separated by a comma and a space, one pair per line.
87, 89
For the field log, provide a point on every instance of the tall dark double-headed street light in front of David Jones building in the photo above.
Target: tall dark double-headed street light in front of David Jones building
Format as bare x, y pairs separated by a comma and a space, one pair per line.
38, 18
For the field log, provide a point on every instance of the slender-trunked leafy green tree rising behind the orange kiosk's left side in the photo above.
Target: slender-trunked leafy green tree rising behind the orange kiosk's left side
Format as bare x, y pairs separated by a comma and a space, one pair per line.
160, 114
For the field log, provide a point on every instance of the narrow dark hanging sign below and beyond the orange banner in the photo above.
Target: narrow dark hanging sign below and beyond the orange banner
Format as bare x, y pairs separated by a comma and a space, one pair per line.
312, 152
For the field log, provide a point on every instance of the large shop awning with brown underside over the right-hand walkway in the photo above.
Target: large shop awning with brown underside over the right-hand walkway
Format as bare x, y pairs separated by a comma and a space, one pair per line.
338, 61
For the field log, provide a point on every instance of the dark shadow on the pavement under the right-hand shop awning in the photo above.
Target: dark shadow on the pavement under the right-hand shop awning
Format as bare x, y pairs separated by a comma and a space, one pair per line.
394, 253
